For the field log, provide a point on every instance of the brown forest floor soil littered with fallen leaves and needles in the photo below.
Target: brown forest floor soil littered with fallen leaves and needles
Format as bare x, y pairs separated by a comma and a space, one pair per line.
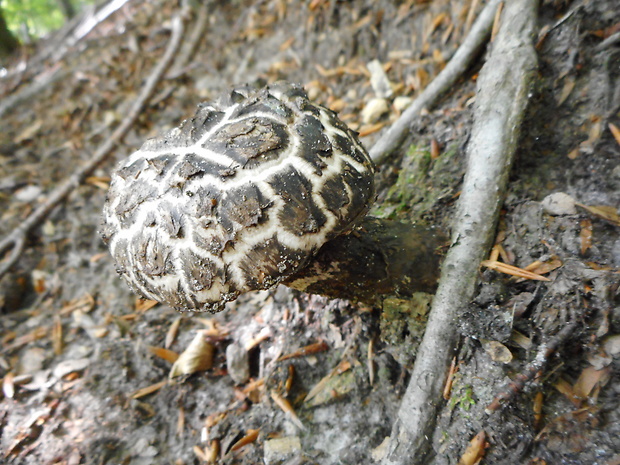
283, 377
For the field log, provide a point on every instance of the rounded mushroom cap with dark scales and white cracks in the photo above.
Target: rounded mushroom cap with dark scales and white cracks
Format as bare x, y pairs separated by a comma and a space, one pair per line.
236, 198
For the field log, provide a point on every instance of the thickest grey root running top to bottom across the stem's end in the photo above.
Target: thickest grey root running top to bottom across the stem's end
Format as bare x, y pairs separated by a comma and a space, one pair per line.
502, 96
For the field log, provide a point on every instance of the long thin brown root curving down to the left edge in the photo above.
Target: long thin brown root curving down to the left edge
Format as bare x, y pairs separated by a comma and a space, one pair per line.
17, 238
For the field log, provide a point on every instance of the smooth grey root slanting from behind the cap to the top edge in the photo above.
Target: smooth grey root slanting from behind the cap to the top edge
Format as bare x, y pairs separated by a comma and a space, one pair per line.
465, 54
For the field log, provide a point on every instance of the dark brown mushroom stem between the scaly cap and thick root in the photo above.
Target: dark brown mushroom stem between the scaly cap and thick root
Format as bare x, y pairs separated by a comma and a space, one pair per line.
377, 259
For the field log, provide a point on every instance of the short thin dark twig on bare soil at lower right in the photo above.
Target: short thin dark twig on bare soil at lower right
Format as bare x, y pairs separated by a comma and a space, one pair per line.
542, 357
